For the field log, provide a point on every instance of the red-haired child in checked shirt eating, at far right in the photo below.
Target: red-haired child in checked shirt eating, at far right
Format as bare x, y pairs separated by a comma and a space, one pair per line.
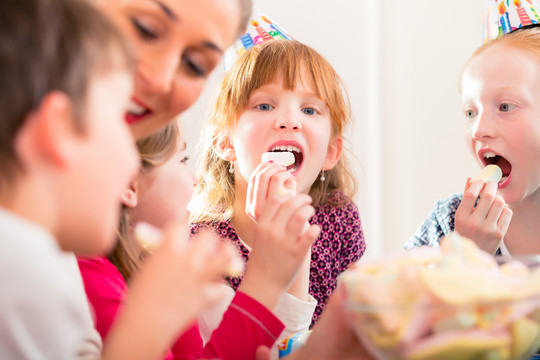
501, 102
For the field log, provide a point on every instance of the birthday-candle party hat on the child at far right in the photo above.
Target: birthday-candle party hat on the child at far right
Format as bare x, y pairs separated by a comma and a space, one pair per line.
504, 16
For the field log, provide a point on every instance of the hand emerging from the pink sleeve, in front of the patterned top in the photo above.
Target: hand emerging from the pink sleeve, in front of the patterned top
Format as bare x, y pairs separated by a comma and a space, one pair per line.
280, 246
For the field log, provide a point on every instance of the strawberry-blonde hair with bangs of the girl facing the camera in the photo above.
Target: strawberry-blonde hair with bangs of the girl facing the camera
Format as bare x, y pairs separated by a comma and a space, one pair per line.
214, 195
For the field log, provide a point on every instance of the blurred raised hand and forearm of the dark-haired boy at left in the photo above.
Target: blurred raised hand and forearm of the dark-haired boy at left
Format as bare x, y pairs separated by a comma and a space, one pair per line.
175, 283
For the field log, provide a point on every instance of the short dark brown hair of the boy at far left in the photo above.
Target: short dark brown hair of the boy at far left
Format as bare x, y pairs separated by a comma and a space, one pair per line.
48, 45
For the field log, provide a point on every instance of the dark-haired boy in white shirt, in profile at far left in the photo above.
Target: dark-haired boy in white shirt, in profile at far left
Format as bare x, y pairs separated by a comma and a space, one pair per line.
65, 156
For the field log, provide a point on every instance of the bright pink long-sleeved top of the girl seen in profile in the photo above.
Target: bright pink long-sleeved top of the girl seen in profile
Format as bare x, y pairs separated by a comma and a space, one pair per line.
246, 324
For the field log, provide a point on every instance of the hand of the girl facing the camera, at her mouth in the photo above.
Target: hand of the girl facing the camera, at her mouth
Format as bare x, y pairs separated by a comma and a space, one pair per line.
267, 182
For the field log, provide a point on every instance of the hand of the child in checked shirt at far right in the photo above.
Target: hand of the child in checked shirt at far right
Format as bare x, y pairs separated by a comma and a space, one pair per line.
486, 221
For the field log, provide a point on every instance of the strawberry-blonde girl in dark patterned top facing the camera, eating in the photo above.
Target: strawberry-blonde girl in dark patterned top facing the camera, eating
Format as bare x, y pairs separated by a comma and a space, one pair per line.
281, 96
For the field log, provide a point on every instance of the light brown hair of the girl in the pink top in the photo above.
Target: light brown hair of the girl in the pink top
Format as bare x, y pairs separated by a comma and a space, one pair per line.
154, 150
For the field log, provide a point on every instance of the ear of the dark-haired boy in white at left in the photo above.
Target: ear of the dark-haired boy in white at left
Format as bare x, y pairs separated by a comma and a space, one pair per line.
49, 131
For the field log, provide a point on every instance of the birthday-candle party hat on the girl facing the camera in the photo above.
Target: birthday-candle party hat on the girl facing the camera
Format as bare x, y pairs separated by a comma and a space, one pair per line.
259, 30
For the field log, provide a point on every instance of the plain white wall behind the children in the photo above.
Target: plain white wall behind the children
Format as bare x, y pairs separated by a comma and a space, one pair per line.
401, 62
